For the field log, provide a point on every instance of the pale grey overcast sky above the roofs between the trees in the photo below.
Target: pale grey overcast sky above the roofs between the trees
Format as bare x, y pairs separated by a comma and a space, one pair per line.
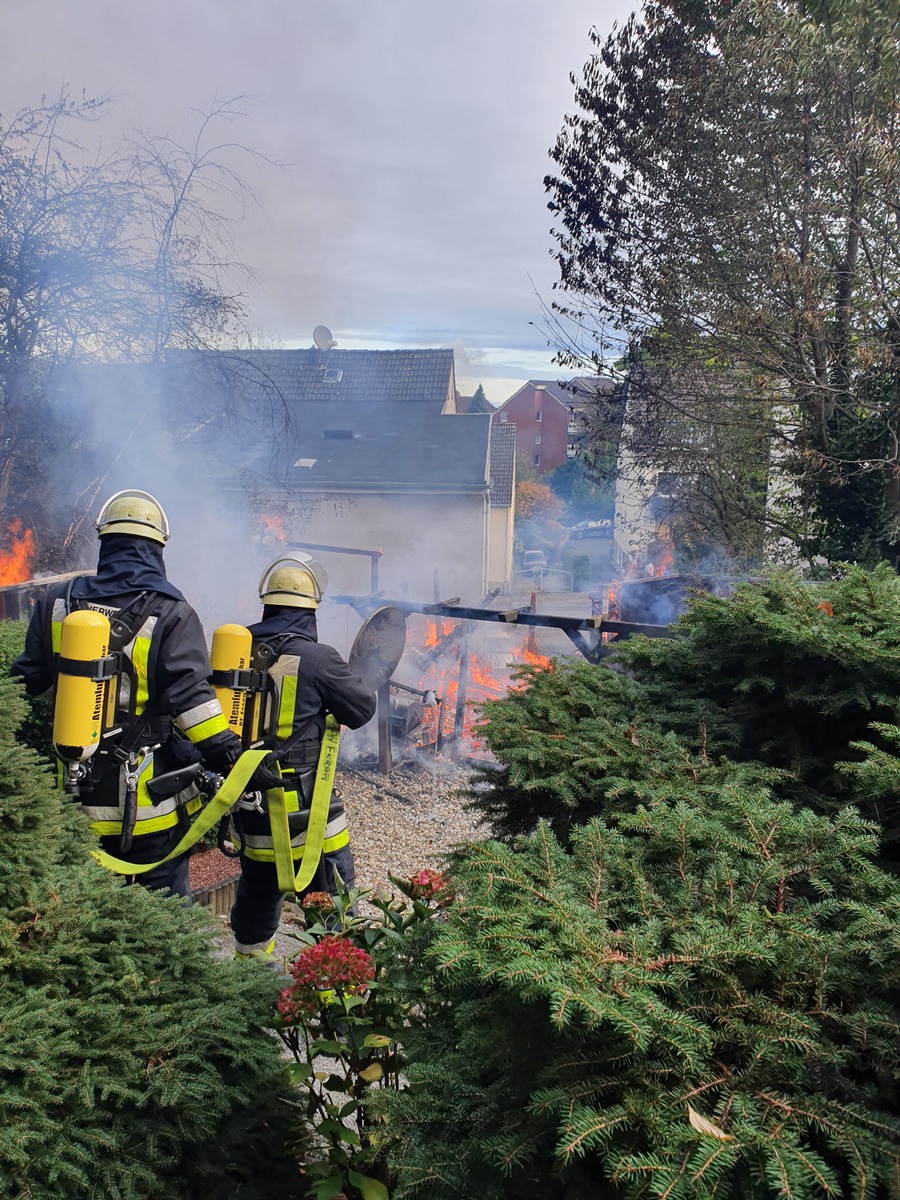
415, 136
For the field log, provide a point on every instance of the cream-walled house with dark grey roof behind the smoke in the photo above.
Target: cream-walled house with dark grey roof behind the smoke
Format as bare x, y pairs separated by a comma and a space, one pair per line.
374, 455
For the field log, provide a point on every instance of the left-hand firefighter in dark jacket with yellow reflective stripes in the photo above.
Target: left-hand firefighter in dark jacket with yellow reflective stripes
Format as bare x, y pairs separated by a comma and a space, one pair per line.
167, 713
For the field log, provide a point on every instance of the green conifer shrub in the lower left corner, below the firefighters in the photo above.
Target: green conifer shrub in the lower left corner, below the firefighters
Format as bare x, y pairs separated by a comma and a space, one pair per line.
136, 1065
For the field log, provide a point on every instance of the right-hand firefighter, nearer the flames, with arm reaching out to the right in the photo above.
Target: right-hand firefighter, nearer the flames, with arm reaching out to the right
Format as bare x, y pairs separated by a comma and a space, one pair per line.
309, 681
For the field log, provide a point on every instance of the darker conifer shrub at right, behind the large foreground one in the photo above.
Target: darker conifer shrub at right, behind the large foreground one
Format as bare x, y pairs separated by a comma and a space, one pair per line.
783, 675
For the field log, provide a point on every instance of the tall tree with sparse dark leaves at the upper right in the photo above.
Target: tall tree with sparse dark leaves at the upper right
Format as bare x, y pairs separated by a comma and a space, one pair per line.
769, 273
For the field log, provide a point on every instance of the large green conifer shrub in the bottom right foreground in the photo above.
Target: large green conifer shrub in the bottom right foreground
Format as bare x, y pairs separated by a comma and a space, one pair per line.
689, 1001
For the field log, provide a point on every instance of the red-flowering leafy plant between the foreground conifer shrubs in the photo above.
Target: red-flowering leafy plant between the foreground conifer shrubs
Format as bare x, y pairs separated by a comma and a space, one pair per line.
349, 1004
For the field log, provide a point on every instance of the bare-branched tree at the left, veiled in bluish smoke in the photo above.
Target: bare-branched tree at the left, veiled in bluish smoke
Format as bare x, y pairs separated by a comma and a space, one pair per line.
105, 257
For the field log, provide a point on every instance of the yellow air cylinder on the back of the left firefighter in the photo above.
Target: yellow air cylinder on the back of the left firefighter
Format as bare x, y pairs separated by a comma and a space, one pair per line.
81, 701
